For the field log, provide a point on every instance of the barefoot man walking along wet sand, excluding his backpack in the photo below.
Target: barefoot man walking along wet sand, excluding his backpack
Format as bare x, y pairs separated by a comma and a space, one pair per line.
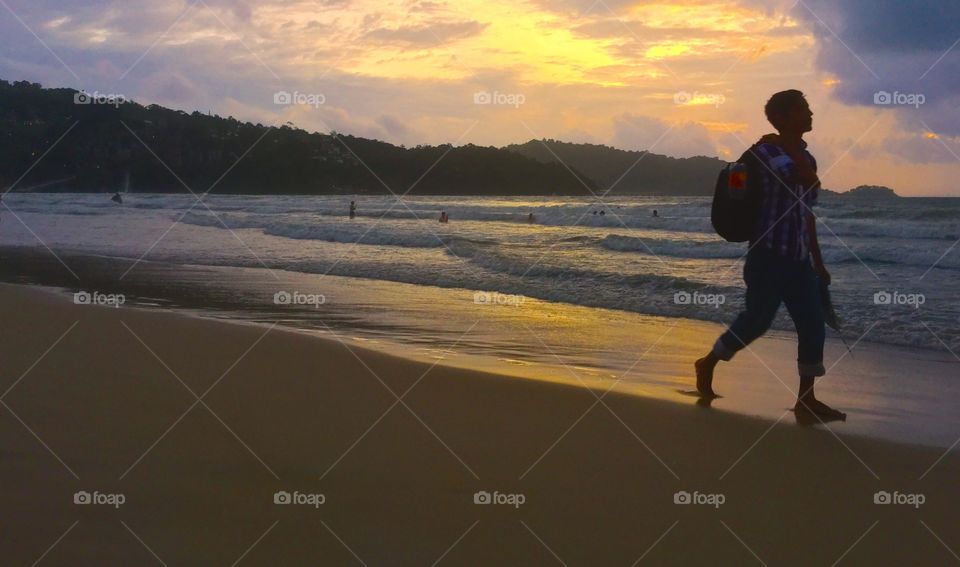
783, 262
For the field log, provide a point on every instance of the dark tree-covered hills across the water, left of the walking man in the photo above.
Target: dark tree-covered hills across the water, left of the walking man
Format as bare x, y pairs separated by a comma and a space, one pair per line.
157, 149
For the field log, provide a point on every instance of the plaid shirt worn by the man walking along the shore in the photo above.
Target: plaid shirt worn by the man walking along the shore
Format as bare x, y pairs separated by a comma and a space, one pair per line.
783, 220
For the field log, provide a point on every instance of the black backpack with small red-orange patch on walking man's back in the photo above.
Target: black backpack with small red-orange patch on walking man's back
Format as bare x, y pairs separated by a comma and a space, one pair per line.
736, 219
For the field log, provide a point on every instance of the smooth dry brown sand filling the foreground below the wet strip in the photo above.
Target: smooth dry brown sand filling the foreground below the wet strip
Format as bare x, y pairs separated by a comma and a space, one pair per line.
196, 426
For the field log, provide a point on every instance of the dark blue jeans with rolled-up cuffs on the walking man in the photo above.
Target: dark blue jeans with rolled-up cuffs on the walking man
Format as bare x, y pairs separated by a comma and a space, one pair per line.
772, 279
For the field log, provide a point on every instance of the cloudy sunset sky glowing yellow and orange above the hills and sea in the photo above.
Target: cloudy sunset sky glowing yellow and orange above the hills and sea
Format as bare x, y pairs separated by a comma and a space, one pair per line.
680, 78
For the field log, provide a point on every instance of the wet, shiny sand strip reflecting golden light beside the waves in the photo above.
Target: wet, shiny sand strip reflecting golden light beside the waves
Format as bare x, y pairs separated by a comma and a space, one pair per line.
546, 341
